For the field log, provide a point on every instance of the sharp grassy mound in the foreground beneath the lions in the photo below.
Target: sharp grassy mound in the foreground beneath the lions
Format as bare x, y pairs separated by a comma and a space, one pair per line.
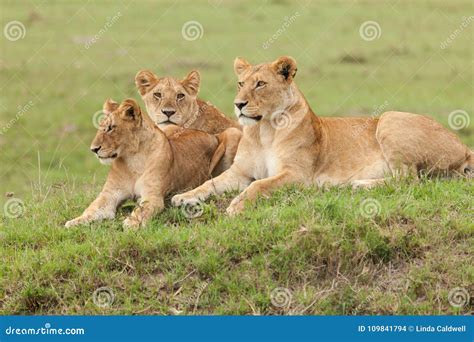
317, 243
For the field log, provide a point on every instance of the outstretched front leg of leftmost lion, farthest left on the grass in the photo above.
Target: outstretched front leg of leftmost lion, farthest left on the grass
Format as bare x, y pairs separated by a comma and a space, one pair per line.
103, 207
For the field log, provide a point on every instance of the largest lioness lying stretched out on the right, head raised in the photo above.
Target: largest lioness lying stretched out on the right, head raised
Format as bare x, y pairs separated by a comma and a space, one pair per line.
284, 142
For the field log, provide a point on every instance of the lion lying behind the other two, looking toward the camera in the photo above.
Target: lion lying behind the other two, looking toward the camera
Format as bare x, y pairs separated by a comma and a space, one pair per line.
174, 102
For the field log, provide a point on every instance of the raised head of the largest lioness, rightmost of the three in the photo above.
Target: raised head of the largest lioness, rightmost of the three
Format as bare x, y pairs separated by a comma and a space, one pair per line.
263, 89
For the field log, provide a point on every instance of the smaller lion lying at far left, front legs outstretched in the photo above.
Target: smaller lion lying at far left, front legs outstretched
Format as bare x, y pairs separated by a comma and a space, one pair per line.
146, 163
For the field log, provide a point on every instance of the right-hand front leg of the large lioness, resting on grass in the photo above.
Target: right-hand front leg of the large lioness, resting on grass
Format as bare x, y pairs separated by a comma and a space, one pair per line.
260, 187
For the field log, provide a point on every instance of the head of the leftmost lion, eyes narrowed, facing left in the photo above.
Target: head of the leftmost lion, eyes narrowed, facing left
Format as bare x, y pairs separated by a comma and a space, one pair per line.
119, 131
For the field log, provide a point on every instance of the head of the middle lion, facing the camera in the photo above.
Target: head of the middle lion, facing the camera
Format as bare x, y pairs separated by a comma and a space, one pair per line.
169, 101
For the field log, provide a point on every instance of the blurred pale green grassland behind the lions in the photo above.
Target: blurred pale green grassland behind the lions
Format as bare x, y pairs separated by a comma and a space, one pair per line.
53, 78
